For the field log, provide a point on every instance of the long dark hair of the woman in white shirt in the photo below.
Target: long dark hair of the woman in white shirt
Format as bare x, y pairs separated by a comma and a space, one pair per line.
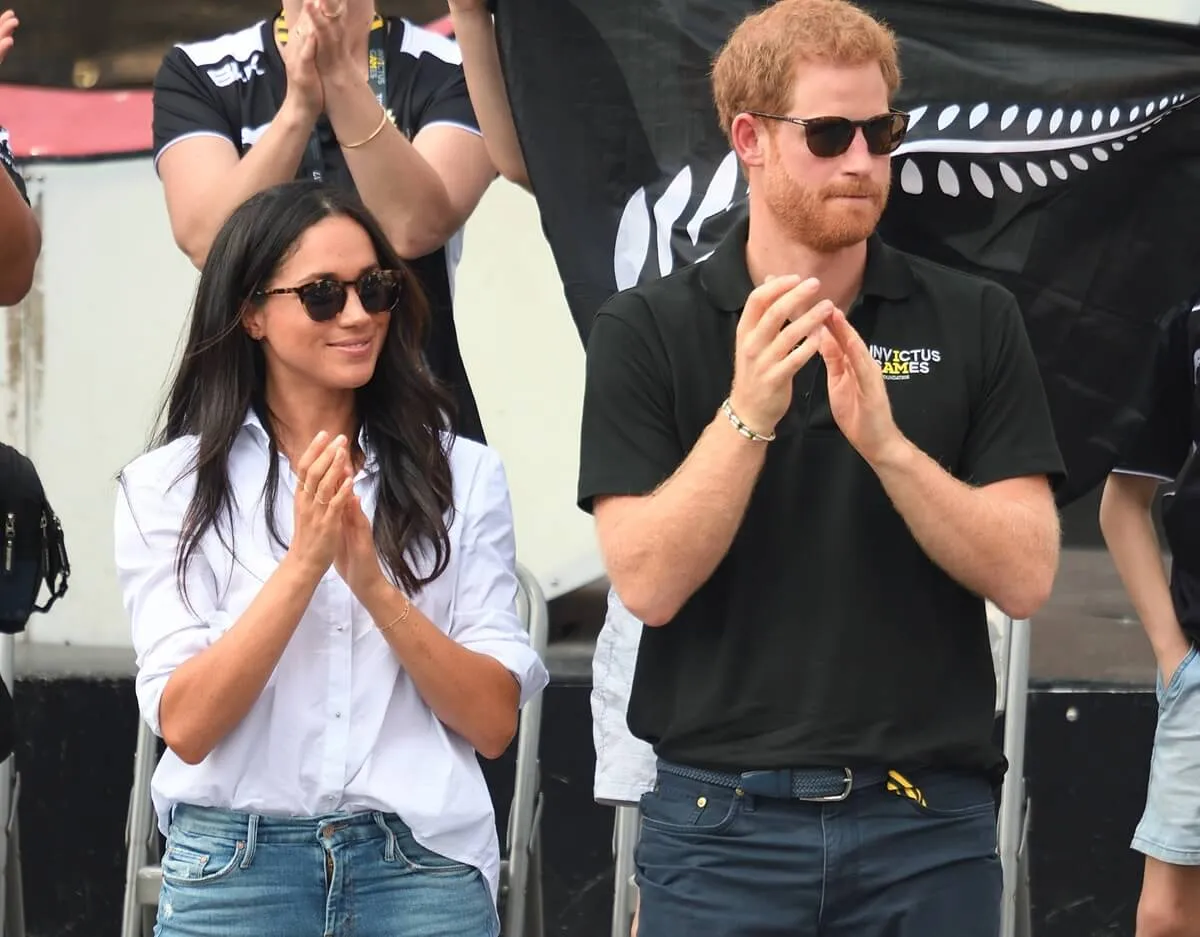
403, 410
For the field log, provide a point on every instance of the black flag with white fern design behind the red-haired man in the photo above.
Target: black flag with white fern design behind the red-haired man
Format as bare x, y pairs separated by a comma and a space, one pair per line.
1057, 153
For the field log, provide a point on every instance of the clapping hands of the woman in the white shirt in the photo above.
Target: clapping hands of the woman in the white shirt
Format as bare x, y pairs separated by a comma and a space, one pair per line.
331, 527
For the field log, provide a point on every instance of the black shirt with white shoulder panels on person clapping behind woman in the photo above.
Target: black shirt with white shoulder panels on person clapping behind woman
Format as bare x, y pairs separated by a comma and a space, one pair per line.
233, 86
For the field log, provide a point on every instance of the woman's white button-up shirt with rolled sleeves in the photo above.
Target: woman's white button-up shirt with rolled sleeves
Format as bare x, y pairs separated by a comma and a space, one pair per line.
340, 728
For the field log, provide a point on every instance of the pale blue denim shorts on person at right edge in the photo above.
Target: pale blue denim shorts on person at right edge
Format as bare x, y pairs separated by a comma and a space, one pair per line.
1171, 827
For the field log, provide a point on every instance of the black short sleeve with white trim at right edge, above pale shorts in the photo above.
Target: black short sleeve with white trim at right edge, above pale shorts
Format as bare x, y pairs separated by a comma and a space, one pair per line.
1165, 442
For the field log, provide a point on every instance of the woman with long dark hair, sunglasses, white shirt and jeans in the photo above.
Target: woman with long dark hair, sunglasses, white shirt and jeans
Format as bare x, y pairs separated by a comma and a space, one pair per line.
321, 584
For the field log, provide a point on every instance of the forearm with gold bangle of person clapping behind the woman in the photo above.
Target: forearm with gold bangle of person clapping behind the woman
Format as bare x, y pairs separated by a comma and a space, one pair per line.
394, 181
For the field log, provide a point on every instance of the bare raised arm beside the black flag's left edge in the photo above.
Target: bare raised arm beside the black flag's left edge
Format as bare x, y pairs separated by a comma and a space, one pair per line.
476, 35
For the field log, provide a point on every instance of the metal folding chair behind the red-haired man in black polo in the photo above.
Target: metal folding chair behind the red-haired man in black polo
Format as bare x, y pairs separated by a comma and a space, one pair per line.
1012, 658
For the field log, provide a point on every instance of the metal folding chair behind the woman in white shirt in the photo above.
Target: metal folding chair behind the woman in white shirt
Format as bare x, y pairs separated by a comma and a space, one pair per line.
521, 881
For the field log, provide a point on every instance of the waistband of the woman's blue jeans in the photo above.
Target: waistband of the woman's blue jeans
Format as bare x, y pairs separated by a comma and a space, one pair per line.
263, 828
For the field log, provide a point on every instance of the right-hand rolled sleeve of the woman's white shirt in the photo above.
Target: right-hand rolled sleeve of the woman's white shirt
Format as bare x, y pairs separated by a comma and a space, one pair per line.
485, 600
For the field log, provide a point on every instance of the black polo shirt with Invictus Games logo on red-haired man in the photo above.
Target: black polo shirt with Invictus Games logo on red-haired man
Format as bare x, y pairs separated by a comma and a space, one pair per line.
826, 636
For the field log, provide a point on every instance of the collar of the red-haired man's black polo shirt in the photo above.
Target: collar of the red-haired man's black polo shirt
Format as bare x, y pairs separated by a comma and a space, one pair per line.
728, 281
